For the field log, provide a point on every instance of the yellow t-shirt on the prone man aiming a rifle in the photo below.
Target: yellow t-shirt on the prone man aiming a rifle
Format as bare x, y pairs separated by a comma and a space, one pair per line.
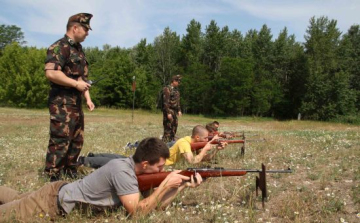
181, 146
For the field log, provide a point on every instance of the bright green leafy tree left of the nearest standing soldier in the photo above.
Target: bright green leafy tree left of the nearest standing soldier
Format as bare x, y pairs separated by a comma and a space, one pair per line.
22, 73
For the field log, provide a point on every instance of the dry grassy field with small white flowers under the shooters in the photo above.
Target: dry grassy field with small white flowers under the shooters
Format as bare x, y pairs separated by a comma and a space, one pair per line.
324, 185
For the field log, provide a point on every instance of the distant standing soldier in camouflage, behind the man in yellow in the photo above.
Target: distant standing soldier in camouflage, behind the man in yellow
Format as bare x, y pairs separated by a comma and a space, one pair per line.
171, 108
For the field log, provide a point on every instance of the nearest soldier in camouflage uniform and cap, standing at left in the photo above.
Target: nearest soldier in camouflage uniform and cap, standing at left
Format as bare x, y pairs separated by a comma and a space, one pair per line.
67, 70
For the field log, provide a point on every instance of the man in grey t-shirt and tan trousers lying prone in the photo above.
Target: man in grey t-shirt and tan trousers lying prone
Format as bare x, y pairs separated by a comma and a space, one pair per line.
115, 184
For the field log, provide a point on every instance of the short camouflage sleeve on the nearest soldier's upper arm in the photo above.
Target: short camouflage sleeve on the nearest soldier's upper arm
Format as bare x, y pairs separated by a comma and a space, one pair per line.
56, 56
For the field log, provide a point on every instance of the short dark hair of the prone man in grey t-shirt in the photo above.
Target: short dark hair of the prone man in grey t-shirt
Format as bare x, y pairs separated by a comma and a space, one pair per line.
151, 149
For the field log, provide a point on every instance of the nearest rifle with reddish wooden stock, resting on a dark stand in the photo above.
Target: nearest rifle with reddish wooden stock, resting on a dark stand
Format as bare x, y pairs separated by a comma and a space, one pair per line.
152, 180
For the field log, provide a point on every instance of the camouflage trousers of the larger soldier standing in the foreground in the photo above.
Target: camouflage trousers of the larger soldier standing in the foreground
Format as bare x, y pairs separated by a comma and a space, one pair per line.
66, 139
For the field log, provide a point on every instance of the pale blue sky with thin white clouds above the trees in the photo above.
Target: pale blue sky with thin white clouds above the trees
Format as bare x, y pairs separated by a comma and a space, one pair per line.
124, 23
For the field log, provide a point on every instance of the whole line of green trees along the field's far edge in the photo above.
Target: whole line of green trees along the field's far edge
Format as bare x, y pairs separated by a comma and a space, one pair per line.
225, 72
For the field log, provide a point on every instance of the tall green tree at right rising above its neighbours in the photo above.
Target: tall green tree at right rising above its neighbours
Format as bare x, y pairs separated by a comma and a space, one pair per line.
327, 89
